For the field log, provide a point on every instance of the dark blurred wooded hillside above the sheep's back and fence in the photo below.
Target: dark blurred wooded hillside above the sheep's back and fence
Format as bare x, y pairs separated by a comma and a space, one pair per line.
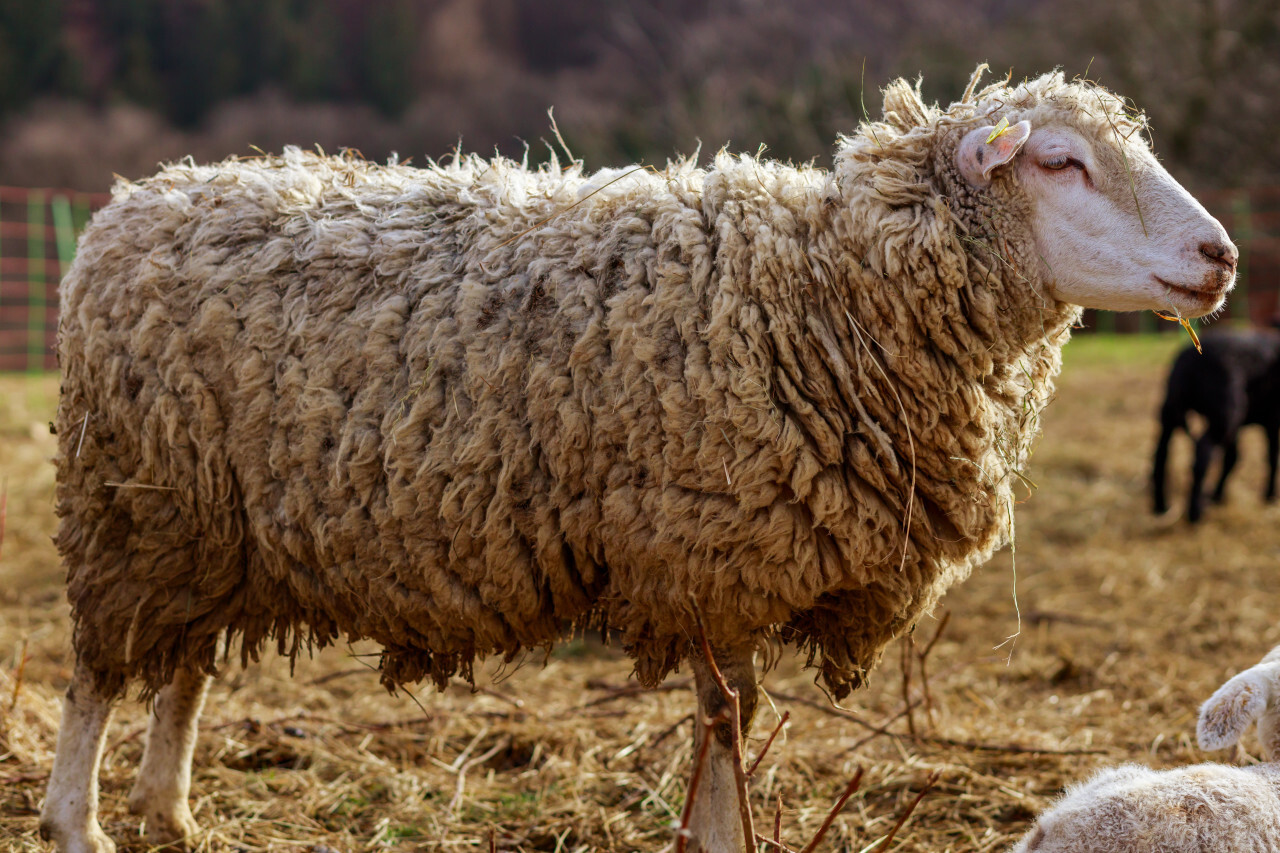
93, 88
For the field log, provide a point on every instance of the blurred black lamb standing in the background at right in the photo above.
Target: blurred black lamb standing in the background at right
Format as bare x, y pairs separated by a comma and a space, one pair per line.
1236, 382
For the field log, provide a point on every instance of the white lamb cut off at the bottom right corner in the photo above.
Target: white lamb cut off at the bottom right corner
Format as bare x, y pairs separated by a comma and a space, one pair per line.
1187, 810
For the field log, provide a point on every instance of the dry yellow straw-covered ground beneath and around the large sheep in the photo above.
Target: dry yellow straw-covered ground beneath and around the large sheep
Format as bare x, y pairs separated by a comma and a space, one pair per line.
1127, 623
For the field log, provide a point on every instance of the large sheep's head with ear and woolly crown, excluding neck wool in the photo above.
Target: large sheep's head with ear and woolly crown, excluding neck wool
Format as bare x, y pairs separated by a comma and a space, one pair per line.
1112, 229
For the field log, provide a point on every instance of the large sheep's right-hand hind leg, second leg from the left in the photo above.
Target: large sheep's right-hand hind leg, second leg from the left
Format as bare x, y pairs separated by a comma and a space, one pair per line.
163, 786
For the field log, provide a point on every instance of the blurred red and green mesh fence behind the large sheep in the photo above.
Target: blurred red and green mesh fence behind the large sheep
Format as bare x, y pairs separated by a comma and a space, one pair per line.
39, 230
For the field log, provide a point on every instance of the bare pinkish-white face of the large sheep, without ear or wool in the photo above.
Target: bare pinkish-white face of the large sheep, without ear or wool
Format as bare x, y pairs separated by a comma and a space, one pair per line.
1117, 231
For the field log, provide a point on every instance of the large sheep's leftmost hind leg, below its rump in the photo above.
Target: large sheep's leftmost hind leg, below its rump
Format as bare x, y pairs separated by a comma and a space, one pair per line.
70, 816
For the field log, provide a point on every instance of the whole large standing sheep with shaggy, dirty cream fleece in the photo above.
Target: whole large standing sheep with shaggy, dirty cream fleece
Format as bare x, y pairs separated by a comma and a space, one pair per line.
459, 409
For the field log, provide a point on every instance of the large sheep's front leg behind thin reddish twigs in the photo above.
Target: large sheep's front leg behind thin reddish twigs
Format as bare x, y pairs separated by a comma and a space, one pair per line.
715, 820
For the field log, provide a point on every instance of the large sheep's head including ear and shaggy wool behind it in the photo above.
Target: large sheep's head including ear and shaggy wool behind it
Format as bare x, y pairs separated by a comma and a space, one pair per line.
1054, 181
